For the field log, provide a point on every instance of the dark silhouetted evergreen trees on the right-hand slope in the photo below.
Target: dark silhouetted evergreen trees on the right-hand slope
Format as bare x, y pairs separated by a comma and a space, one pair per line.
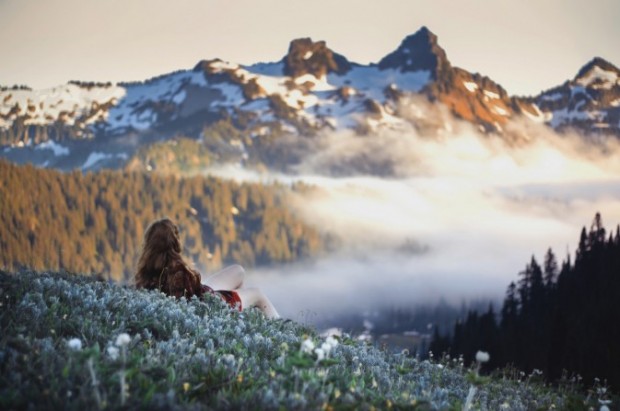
555, 319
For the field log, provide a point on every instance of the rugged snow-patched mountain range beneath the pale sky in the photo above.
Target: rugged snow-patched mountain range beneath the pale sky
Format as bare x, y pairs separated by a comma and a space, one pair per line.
236, 112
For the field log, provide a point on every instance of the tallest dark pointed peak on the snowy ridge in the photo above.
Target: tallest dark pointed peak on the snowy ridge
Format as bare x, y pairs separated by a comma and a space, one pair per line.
418, 51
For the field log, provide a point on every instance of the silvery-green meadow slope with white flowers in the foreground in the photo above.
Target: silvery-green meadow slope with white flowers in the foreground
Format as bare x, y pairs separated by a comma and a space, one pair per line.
71, 342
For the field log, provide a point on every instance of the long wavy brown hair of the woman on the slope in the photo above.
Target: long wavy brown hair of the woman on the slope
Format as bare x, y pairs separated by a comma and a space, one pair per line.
161, 248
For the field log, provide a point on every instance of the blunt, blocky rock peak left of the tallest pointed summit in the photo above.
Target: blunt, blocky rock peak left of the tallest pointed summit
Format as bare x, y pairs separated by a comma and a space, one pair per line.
308, 57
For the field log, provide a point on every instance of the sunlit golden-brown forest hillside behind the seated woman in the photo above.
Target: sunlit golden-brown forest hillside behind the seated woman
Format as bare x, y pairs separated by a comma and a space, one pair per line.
95, 222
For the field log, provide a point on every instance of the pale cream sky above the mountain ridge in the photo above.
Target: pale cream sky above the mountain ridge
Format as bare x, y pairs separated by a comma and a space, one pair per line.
525, 45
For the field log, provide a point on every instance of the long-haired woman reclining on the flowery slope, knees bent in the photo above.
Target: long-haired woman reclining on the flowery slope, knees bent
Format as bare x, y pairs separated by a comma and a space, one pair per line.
161, 267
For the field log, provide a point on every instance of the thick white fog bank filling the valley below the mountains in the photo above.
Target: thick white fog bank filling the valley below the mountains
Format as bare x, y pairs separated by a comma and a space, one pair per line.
456, 216
